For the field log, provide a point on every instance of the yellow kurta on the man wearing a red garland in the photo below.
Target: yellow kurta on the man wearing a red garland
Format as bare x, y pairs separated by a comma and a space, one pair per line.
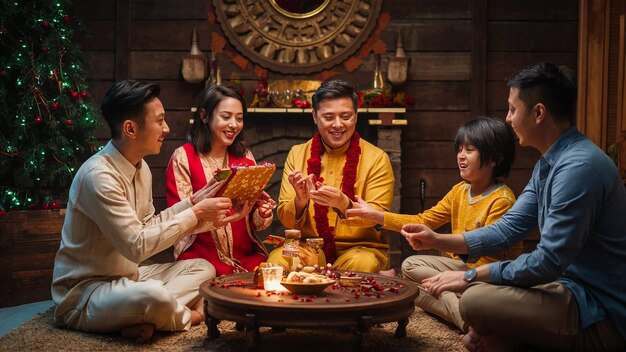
374, 184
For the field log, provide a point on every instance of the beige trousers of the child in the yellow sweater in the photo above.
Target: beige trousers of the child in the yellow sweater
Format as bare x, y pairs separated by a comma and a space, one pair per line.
420, 267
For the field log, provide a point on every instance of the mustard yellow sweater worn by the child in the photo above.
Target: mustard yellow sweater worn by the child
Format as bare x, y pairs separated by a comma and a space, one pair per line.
464, 213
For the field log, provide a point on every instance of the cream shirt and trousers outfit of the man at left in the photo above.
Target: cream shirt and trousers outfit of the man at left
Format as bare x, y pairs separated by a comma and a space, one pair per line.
109, 228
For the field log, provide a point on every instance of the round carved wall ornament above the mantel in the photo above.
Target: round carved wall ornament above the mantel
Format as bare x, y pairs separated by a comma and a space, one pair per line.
301, 41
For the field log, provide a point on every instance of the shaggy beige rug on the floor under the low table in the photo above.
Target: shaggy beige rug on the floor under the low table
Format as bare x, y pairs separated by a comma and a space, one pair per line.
424, 333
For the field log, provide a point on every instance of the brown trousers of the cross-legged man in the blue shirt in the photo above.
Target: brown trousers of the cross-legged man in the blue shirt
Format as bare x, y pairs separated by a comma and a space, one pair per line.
544, 316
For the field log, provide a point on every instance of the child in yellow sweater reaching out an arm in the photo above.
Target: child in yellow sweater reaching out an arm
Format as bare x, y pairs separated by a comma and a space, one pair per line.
485, 152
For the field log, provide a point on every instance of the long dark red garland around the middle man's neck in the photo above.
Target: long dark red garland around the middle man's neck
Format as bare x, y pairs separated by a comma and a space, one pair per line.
314, 166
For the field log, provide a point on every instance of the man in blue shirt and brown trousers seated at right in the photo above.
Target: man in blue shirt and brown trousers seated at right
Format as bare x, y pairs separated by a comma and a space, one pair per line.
570, 292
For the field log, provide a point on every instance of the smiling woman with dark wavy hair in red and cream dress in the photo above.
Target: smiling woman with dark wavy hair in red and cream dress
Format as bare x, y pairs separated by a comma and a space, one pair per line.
216, 142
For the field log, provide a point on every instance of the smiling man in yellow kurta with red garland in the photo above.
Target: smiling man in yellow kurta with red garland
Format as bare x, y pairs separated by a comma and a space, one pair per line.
322, 177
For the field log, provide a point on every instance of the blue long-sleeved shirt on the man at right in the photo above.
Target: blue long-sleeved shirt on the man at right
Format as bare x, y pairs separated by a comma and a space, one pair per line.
577, 199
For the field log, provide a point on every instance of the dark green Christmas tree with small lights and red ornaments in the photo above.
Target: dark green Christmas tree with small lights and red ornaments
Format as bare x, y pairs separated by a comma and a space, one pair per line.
47, 119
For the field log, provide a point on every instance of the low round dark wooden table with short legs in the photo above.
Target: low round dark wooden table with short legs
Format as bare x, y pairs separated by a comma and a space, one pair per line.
236, 298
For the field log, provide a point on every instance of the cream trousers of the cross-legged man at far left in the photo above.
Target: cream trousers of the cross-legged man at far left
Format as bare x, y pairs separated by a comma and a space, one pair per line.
161, 296
